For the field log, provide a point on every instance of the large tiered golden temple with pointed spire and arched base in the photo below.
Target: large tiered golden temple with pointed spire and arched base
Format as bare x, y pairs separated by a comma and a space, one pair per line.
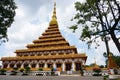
49, 50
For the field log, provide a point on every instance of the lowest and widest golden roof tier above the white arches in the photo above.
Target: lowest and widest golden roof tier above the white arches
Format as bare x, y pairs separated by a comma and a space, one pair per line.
46, 57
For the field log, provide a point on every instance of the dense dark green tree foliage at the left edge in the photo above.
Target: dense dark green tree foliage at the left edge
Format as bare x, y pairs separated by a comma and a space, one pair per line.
7, 13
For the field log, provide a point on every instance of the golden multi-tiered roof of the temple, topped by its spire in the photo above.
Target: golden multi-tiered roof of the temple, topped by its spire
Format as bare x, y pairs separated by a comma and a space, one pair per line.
48, 46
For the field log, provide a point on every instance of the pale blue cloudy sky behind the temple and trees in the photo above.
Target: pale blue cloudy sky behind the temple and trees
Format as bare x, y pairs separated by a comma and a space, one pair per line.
32, 19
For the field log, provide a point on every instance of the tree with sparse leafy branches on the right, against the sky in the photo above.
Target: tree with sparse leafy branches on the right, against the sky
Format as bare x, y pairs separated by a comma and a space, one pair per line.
98, 18
